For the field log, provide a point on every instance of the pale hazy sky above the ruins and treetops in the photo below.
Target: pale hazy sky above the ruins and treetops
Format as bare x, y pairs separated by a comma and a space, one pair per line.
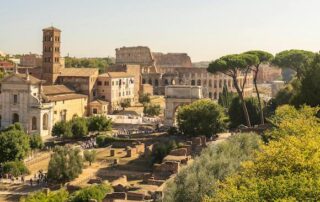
205, 29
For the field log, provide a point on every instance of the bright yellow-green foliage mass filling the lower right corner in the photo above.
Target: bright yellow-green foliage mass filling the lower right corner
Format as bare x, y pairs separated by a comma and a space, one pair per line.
285, 169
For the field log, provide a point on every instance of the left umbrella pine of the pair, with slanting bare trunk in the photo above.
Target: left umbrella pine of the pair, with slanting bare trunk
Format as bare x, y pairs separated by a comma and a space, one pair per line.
234, 66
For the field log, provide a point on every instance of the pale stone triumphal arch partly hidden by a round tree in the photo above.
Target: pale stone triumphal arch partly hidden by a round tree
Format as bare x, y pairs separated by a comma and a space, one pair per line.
176, 96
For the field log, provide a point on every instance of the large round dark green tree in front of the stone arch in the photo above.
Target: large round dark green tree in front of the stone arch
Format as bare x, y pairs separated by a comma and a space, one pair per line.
202, 117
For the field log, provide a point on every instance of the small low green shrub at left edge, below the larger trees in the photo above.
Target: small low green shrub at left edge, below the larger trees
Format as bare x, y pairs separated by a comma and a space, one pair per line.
15, 168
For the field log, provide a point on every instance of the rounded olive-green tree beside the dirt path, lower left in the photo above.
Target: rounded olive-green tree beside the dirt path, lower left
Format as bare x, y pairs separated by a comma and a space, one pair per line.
65, 165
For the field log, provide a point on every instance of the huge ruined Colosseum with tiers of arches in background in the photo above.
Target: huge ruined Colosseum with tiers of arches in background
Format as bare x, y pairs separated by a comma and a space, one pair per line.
162, 69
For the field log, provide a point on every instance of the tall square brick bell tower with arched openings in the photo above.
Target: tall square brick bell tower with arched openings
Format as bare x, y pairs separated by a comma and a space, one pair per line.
51, 65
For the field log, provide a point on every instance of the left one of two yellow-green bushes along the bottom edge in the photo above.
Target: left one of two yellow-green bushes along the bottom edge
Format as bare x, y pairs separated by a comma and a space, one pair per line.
60, 195
